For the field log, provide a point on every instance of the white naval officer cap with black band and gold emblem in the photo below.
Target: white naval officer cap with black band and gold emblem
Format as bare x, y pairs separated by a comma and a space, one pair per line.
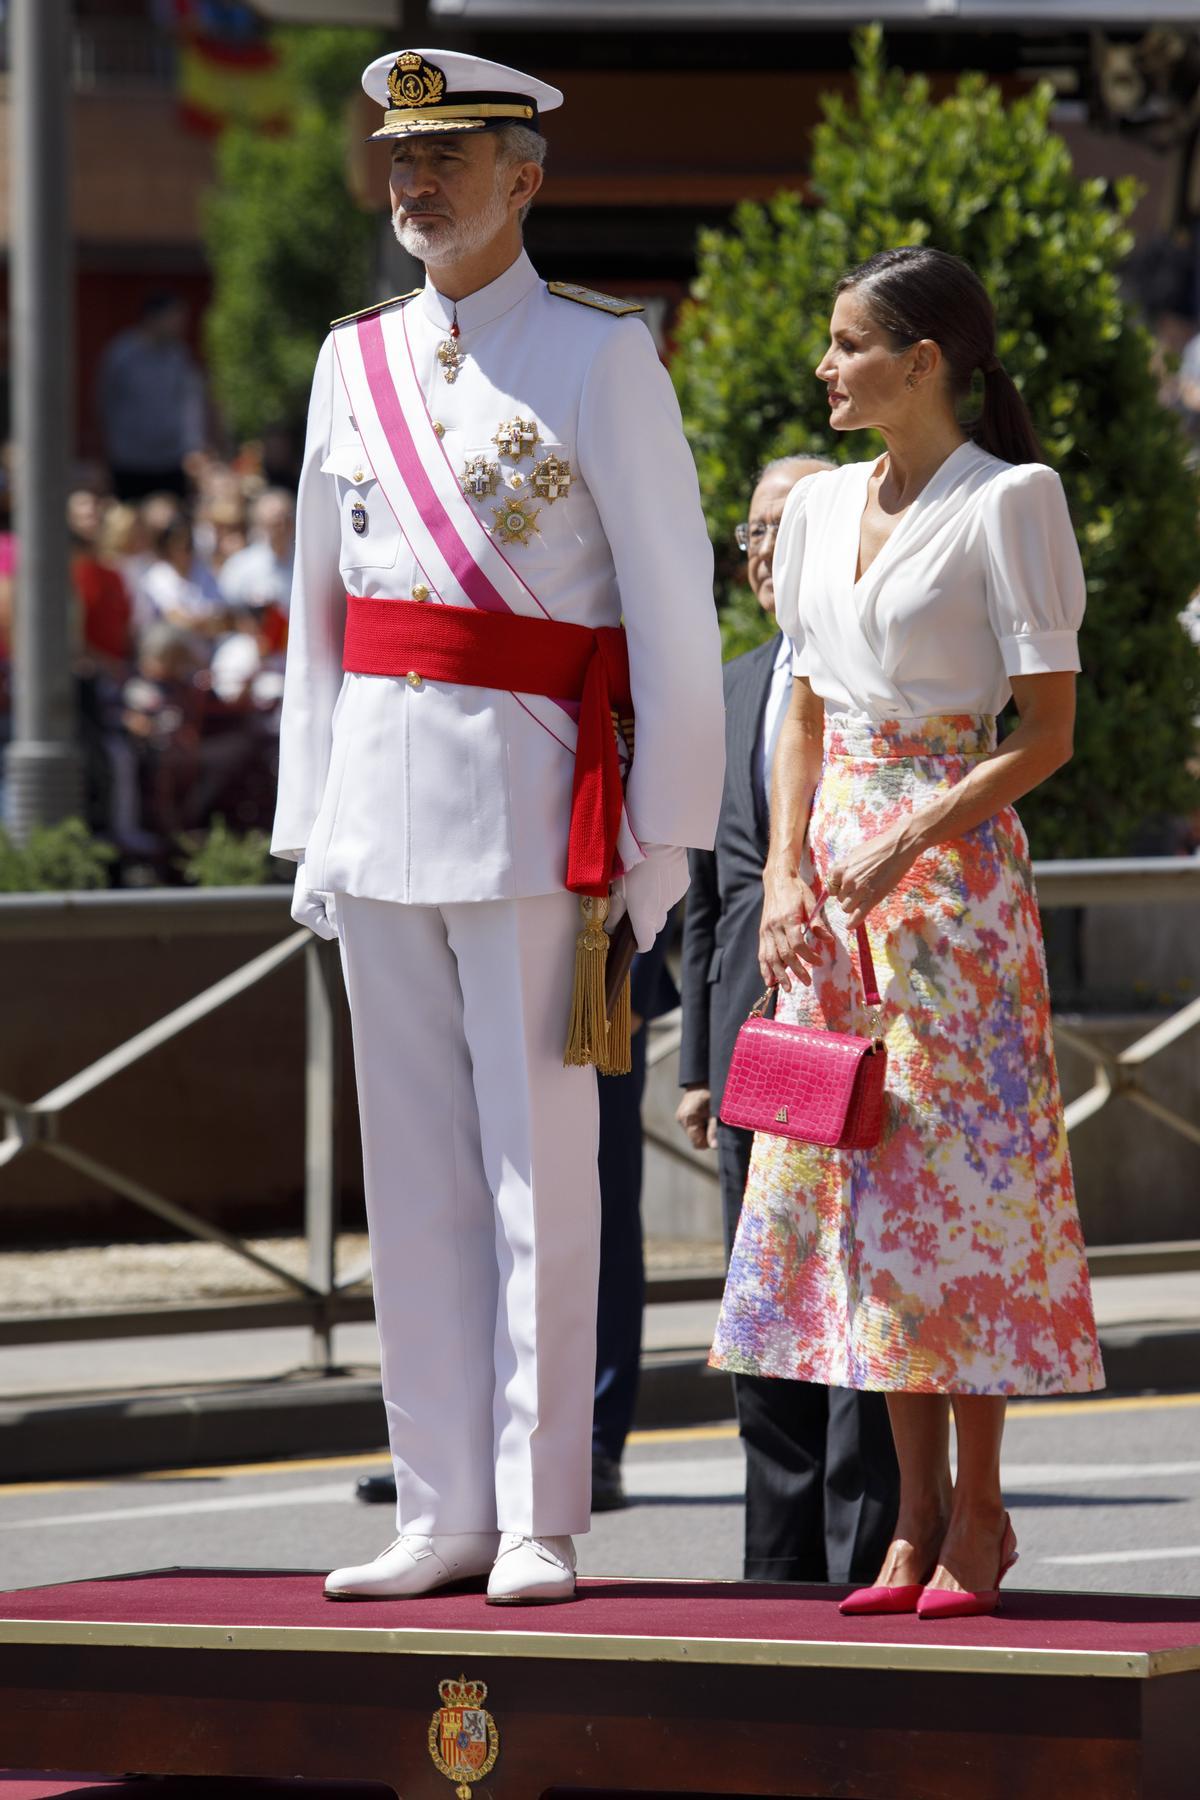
445, 91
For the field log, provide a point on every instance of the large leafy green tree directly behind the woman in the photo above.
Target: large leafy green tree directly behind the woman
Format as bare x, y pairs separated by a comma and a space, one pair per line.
992, 184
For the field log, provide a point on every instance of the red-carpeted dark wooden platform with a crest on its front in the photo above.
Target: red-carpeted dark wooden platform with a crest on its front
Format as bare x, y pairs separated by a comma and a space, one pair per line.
634, 1689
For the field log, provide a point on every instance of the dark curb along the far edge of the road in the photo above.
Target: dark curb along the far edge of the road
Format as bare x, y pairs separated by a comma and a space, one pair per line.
328, 1416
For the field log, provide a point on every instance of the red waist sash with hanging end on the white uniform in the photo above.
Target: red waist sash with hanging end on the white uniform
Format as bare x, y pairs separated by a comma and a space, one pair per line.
526, 656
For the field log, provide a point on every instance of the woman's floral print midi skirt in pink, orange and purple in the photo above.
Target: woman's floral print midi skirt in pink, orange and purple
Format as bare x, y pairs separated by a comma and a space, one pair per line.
949, 1259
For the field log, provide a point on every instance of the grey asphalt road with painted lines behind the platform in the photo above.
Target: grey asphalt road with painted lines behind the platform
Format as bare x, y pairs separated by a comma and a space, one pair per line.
1106, 1495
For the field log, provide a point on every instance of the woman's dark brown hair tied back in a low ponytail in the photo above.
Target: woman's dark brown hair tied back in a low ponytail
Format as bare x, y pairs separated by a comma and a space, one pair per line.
915, 294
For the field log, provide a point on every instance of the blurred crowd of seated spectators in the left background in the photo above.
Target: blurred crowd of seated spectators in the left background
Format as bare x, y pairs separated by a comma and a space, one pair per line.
181, 622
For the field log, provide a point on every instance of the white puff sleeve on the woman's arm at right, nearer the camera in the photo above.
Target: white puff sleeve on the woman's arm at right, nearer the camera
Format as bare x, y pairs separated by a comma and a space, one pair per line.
1035, 579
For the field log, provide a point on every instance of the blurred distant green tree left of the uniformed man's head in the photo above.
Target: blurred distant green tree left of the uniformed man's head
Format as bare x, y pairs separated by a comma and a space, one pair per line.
289, 246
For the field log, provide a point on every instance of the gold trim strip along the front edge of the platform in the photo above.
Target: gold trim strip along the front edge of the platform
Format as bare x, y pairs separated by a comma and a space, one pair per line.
758, 1653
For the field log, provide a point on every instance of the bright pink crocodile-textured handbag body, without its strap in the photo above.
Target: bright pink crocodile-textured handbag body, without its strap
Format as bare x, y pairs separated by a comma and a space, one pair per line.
793, 1079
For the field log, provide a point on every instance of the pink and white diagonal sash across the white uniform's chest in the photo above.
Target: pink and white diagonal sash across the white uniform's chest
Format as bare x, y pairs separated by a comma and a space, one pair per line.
461, 562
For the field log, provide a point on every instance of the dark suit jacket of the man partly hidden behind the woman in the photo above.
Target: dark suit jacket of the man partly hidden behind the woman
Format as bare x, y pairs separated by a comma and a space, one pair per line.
726, 897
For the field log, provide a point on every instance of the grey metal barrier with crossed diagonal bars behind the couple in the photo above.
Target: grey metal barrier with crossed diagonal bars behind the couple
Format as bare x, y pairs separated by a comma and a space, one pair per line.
321, 1299
